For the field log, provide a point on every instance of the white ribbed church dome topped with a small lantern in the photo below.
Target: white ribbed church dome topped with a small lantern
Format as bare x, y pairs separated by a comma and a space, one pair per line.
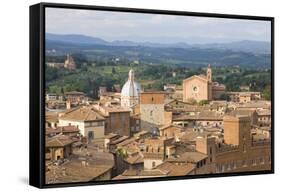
131, 88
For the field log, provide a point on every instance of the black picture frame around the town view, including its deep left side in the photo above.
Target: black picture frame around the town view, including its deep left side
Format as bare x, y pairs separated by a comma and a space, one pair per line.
37, 92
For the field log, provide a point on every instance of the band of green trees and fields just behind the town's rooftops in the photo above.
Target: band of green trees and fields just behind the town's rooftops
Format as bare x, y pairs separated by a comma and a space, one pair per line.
94, 72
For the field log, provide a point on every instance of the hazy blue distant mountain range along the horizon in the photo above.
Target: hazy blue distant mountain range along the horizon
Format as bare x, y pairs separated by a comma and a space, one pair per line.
256, 47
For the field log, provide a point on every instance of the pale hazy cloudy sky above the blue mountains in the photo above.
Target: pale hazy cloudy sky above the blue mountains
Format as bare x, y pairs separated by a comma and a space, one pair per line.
141, 27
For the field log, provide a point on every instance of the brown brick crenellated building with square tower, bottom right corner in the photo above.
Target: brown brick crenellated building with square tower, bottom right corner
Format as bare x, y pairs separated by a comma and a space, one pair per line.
239, 151
